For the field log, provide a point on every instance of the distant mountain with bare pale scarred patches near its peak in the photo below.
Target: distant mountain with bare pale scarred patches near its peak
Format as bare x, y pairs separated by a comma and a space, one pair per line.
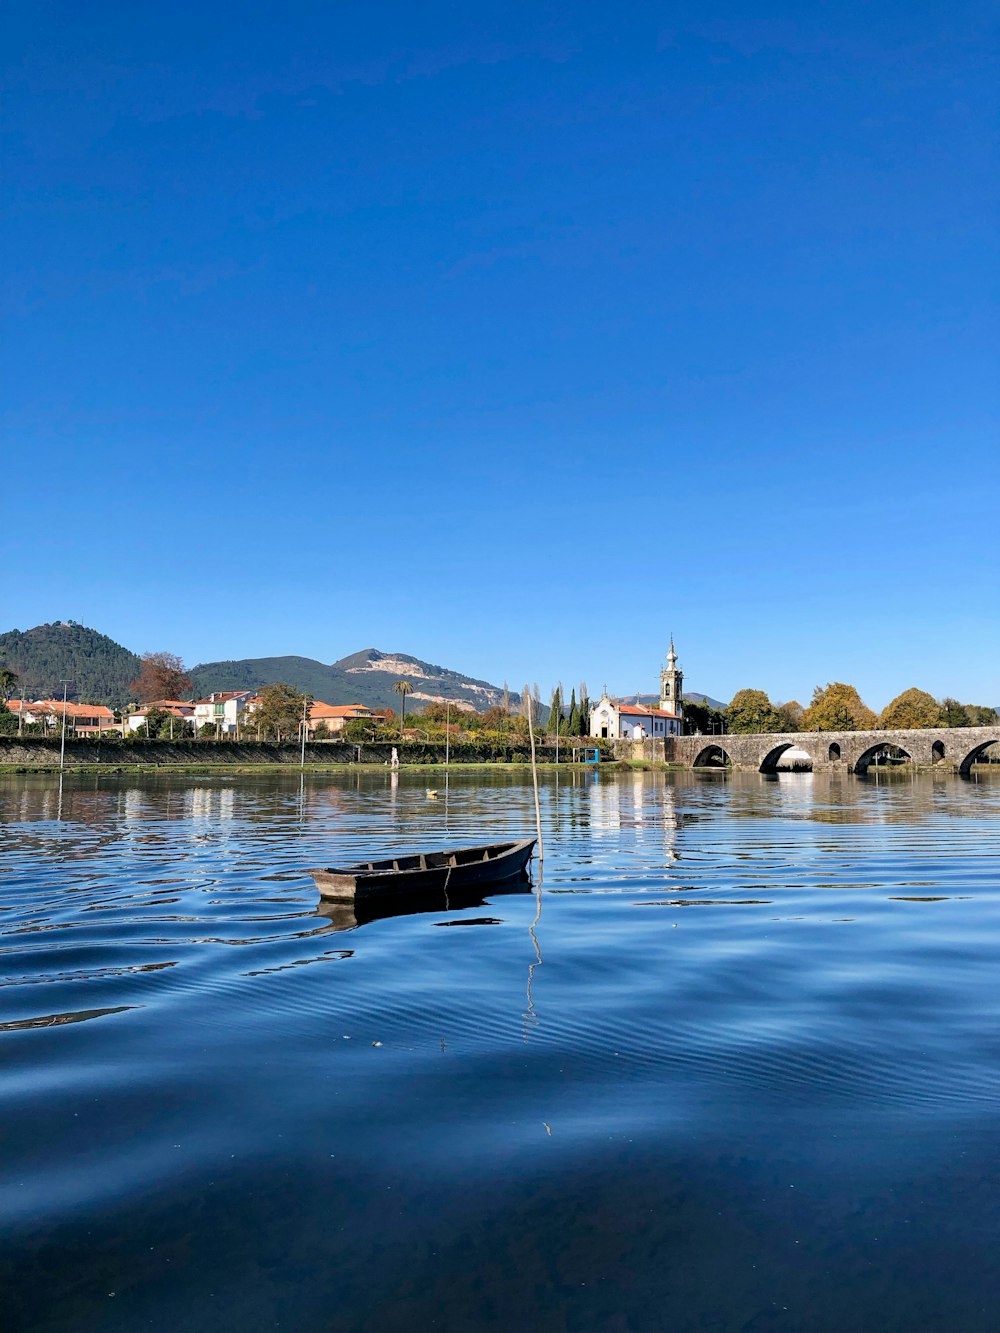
365, 678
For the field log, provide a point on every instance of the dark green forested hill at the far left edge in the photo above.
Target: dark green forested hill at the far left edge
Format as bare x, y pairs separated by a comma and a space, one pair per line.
98, 668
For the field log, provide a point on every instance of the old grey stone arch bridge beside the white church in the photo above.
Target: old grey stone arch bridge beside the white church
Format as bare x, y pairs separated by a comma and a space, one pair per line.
954, 748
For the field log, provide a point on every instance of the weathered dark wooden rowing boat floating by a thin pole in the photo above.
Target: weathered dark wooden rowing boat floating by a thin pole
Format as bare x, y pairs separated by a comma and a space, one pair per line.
425, 874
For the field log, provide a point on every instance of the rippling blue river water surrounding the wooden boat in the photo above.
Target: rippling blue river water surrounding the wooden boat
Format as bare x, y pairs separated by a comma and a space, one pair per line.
735, 1067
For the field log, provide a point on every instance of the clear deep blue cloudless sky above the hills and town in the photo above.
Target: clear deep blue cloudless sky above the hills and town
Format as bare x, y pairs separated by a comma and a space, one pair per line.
511, 337
